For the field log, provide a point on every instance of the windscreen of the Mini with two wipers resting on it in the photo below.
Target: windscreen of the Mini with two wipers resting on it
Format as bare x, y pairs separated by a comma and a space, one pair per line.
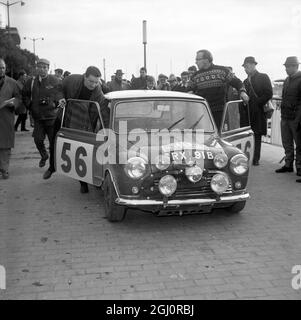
150, 115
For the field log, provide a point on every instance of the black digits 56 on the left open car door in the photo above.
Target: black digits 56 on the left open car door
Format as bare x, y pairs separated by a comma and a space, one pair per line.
80, 165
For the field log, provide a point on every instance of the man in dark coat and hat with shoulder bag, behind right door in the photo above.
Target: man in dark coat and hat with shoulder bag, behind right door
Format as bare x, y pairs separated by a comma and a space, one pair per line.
260, 91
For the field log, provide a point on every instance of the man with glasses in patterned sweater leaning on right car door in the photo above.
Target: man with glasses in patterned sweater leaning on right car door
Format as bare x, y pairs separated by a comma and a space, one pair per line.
211, 82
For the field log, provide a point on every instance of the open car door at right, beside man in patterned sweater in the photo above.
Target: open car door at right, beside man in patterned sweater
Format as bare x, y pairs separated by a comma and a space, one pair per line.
236, 127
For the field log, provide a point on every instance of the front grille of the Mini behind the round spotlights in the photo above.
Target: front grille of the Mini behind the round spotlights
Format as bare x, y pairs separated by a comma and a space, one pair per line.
187, 189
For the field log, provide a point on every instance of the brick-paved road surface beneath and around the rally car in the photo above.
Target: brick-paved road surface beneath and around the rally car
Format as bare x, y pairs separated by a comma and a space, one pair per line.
56, 244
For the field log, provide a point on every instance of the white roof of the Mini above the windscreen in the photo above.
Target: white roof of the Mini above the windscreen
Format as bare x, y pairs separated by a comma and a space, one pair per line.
132, 94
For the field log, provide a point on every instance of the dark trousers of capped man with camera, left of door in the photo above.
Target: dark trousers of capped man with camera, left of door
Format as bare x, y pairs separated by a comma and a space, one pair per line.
41, 129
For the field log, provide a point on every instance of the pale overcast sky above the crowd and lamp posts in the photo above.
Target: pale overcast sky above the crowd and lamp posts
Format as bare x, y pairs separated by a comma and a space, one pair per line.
78, 34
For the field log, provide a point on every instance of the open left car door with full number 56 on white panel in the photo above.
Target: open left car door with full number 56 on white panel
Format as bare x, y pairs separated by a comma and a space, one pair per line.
76, 143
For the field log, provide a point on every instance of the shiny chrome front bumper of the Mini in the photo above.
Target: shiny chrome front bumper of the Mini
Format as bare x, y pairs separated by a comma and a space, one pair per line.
180, 203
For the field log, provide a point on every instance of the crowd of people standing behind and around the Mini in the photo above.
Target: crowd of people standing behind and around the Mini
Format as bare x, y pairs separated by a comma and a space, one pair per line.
44, 94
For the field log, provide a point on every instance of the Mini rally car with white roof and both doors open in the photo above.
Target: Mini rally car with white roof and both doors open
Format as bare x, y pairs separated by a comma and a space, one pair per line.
161, 152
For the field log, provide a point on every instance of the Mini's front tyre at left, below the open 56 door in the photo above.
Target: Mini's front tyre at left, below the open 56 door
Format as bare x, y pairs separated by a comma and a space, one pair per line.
113, 212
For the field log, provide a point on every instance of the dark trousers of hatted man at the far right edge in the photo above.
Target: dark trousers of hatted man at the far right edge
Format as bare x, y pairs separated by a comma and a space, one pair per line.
291, 135
